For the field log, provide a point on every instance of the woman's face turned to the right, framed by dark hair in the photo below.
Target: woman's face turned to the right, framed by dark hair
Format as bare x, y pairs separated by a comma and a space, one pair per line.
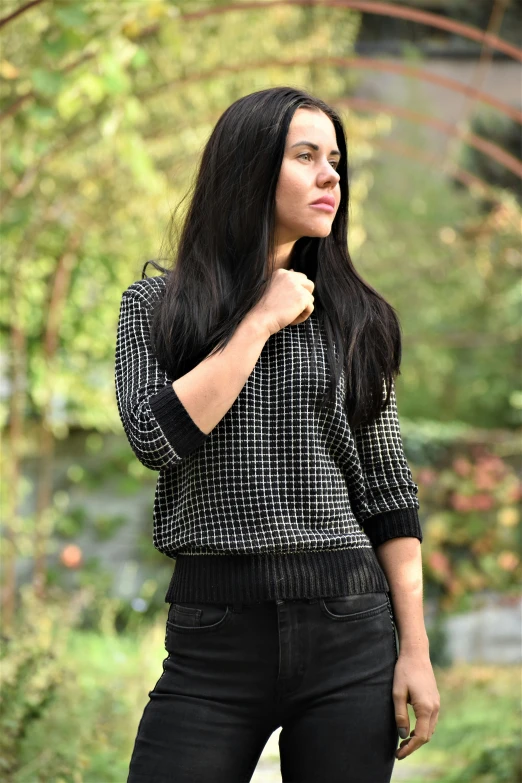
307, 174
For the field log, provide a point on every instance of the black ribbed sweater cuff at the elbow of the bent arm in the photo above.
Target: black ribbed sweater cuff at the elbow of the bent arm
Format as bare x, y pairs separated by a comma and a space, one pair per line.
179, 428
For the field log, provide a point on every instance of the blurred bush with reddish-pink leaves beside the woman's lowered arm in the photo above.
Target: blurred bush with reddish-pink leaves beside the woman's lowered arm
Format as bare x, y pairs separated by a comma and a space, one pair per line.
472, 526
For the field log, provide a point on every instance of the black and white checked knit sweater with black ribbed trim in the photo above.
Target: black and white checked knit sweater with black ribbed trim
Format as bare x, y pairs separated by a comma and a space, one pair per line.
281, 499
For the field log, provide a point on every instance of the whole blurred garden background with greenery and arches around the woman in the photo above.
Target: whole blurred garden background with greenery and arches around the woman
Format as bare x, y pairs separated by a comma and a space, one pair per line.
105, 110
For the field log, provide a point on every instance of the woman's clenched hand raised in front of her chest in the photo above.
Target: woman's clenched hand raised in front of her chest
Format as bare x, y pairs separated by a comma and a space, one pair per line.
288, 300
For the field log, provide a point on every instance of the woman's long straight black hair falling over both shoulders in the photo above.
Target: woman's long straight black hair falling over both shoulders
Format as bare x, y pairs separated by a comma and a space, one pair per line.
217, 272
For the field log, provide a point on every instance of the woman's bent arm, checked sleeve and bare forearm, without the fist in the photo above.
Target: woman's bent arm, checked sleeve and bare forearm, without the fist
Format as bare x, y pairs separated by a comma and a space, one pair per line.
165, 421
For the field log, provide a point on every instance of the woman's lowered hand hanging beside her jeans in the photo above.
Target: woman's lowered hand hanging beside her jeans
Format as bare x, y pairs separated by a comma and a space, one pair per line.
414, 683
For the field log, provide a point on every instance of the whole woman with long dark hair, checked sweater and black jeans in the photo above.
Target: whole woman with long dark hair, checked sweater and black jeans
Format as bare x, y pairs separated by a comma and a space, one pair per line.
257, 376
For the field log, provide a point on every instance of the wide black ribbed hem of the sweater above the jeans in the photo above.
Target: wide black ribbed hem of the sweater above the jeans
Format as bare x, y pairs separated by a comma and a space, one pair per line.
269, 577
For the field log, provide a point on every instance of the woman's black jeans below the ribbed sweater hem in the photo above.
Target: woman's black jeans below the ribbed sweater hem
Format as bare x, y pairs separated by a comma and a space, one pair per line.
322, 669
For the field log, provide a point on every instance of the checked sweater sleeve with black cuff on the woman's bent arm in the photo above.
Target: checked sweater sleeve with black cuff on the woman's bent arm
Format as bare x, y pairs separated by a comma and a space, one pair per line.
159, 429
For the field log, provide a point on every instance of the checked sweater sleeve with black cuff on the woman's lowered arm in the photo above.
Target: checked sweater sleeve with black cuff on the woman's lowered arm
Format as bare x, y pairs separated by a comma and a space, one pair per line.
391, 492
